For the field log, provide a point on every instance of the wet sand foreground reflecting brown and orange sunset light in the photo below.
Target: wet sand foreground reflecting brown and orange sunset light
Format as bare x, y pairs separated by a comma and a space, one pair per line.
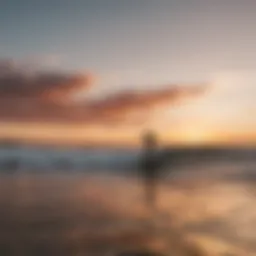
104, 215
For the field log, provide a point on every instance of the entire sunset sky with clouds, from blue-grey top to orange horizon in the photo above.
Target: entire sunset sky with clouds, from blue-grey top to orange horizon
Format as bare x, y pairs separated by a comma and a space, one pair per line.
102, 48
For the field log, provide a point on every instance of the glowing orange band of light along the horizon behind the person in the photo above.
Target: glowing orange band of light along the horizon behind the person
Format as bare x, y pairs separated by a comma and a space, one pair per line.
79, 134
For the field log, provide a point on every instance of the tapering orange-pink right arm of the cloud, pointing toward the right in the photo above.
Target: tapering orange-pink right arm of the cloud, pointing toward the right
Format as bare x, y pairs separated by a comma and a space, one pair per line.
124, 105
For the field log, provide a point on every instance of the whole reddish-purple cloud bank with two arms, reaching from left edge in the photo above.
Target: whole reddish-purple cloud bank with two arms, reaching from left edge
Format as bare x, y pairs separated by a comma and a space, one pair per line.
48, 96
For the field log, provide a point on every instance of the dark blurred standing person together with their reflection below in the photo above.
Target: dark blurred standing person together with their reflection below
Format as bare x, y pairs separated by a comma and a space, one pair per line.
150, 165
